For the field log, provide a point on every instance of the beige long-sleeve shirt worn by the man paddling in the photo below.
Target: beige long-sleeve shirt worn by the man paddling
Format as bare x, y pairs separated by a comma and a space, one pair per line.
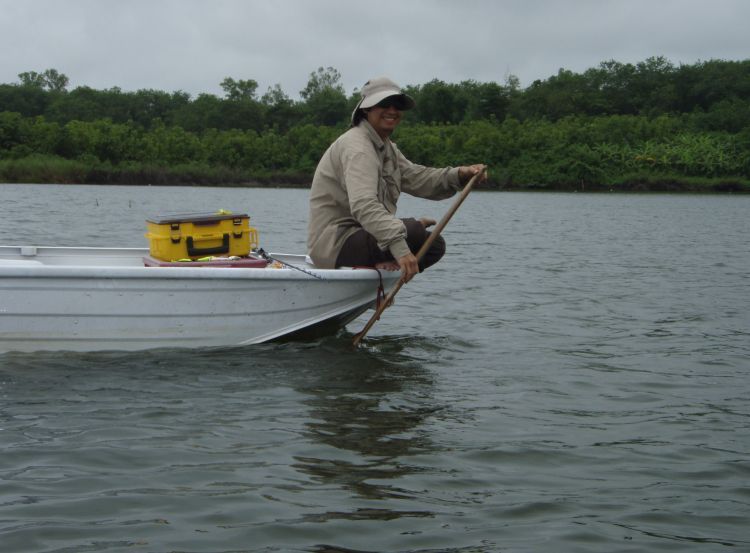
357, 185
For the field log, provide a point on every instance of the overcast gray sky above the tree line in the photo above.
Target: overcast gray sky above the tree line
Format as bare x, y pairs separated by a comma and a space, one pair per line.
192, 45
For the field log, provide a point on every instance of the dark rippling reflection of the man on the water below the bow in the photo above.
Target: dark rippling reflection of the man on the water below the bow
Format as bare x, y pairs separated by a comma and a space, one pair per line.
372, 405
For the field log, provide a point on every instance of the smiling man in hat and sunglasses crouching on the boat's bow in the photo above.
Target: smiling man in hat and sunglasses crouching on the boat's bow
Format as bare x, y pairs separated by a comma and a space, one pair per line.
357, 185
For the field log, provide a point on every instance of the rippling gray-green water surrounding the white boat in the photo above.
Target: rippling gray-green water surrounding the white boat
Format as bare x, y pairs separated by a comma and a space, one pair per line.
573, 376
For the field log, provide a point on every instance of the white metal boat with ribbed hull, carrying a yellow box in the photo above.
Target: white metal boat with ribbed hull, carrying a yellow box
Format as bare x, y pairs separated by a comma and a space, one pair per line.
89, 299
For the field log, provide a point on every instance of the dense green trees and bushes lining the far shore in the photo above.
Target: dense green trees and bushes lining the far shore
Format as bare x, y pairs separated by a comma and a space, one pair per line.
618, 127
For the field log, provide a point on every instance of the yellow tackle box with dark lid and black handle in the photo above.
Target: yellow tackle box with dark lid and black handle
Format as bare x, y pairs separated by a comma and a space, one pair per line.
196, 235
